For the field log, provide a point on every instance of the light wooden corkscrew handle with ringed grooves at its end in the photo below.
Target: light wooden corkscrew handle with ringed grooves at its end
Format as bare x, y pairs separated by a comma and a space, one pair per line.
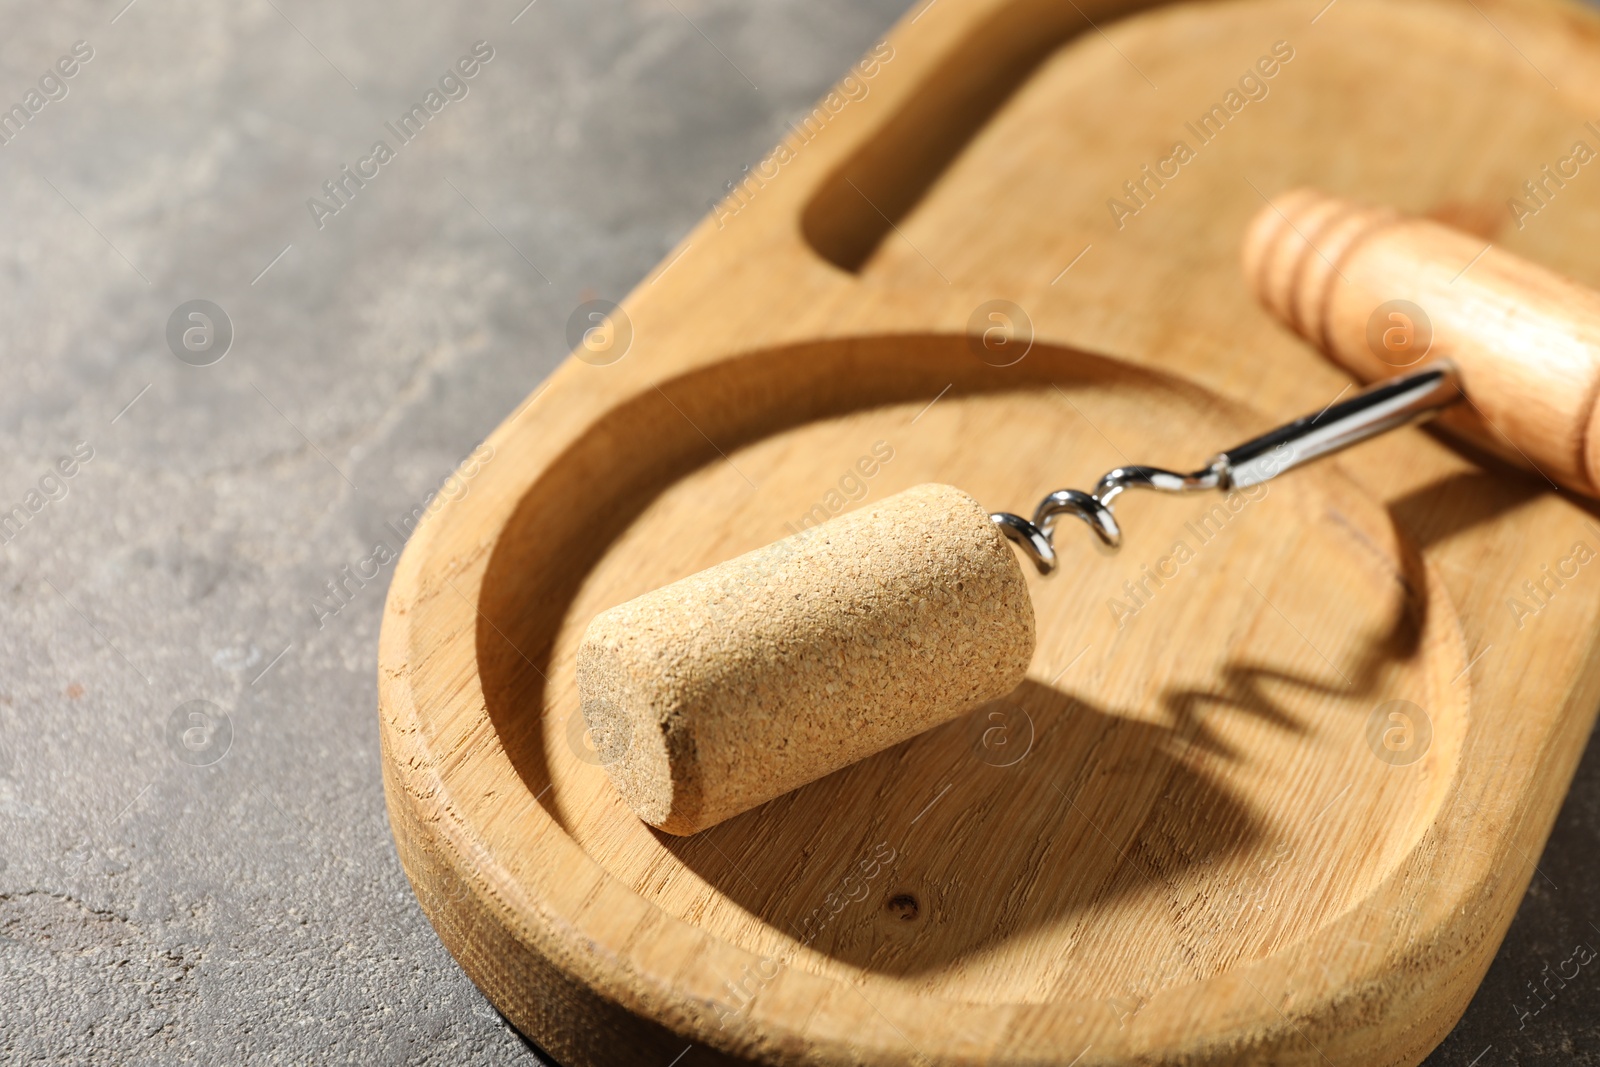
1382, 294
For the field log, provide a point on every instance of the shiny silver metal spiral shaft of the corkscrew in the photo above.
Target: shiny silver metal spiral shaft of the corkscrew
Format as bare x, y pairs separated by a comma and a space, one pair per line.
1378, 410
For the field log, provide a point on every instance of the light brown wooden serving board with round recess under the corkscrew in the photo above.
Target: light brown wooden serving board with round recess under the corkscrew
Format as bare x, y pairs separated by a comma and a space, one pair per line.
1276, 805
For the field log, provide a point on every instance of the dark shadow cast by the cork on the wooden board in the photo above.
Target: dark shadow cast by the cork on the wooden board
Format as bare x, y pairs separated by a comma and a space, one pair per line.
1103, 807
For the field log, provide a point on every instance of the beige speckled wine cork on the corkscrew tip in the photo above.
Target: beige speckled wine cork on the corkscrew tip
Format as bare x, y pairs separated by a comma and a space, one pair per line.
754, 677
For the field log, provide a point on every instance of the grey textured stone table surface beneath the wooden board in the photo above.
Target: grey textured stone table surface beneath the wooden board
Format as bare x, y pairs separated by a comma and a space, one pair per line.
196, 863
